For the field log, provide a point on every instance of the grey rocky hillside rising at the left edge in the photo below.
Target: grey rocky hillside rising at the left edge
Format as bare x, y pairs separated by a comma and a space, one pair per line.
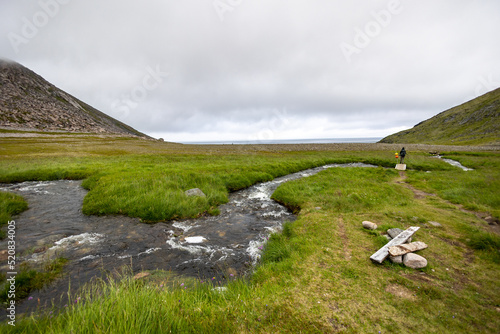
29, 102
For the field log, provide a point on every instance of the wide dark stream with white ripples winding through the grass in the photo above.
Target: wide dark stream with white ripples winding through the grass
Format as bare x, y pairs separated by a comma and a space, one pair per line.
206, 247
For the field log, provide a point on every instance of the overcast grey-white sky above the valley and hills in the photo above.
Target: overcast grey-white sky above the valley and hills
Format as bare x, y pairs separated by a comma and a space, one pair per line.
205, 70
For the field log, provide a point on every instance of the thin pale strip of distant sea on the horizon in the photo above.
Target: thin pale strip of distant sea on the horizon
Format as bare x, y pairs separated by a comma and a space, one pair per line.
288, 141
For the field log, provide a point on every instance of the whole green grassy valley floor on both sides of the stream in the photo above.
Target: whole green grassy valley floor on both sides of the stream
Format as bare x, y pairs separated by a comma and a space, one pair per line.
315, 276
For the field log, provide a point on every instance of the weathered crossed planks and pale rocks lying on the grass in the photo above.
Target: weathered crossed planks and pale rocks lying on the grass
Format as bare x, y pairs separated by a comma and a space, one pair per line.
399, 249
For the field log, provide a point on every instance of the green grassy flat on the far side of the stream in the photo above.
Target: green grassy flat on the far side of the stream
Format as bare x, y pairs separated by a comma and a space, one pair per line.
126, 176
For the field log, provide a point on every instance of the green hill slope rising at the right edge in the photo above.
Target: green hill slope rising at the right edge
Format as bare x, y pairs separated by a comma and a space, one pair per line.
476, 122
